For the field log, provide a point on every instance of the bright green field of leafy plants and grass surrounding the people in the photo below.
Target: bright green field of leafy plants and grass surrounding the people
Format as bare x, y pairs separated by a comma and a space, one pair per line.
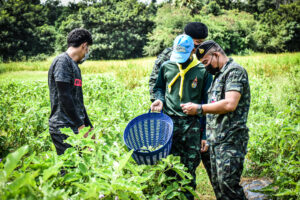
115, 97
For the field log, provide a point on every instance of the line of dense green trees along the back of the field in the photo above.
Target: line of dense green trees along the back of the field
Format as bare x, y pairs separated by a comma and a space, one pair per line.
31, 29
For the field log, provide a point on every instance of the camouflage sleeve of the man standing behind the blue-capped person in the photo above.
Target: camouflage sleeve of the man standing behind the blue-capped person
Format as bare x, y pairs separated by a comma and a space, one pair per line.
161, 58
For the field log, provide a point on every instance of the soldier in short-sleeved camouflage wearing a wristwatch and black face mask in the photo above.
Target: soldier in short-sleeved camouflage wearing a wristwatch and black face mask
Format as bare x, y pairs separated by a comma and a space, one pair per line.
226, 113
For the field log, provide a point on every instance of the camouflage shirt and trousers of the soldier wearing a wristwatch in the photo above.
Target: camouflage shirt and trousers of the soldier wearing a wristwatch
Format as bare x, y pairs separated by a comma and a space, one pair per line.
228, 133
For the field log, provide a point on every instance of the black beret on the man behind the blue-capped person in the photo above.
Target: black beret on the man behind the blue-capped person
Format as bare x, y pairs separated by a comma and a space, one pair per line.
196, 30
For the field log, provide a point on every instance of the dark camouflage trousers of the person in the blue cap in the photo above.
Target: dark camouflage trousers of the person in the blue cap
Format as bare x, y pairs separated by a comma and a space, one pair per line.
187, 144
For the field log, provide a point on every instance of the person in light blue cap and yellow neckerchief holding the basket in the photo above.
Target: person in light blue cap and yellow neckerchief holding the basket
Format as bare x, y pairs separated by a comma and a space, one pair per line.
180, 80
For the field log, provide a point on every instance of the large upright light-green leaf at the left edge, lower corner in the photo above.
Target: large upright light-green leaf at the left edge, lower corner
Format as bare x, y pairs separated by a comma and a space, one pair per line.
12, 161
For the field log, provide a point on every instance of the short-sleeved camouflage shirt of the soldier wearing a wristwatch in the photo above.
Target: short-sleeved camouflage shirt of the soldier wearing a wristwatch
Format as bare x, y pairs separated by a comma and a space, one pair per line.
227, 127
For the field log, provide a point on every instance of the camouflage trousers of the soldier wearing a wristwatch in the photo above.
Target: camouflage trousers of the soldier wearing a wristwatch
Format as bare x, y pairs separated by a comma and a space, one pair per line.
227, 161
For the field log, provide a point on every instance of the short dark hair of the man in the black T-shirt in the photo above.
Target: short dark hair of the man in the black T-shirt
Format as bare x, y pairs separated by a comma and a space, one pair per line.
79, 36
